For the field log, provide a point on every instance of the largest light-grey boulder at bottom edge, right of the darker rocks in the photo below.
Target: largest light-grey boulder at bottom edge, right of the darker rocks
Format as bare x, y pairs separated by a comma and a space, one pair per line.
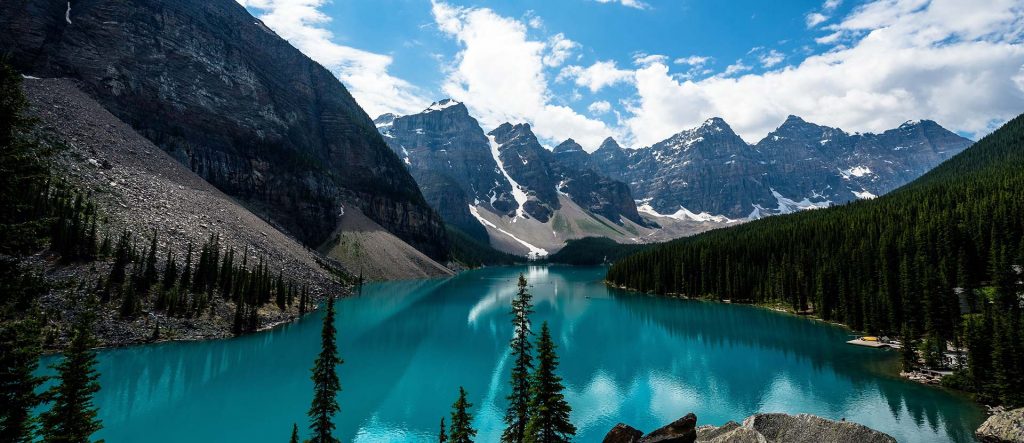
812, 429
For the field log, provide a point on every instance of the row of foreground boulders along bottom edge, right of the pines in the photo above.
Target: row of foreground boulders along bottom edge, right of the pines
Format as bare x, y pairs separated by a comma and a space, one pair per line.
762, 428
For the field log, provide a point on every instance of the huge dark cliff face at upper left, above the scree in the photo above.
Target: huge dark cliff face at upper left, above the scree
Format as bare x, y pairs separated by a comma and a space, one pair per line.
234, 102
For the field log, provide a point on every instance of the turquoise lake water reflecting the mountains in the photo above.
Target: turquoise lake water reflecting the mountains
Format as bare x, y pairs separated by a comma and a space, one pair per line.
625, 358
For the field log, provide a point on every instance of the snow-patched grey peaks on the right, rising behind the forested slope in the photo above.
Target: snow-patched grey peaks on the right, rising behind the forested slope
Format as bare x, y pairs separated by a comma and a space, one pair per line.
711, 172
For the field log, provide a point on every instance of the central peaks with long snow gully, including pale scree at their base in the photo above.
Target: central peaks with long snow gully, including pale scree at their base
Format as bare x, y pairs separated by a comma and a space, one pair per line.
483, 183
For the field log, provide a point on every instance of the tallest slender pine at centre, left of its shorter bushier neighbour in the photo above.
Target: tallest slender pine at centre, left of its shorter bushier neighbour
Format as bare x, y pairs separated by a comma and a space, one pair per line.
518, 414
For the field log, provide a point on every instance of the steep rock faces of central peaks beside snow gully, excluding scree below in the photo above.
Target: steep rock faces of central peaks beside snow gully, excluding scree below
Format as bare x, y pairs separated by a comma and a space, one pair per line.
454, 163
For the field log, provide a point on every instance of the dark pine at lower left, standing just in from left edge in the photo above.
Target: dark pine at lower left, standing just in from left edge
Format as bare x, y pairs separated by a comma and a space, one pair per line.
73, 416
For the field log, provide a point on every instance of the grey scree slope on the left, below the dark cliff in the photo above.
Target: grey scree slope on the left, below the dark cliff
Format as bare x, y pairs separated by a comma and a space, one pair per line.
142, 190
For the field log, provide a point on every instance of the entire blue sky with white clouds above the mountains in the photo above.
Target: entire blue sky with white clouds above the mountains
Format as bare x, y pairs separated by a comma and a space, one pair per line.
644, 71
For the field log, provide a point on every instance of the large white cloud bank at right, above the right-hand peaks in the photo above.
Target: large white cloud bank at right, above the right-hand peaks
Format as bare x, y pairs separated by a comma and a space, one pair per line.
954, 62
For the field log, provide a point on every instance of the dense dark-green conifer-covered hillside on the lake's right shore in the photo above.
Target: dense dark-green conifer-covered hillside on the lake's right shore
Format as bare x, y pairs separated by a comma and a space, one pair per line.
938, 259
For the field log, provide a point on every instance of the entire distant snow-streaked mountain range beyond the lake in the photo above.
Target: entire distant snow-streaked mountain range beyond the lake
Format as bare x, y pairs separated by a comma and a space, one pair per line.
505, 188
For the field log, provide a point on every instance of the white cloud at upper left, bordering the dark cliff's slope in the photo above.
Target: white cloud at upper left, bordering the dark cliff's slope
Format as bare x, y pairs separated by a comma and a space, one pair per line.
365, 74
